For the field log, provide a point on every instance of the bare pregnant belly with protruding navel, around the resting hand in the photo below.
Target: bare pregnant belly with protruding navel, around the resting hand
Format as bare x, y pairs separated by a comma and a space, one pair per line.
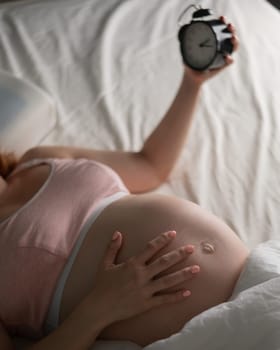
218, 251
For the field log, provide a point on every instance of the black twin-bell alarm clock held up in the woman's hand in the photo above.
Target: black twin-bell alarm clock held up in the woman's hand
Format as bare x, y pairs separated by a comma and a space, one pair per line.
204, 41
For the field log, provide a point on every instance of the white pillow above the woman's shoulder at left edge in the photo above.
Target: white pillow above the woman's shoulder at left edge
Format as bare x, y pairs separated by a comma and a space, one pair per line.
27, 114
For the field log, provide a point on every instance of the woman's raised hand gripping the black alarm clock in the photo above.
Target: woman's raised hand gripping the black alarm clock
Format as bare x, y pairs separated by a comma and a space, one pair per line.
199, 78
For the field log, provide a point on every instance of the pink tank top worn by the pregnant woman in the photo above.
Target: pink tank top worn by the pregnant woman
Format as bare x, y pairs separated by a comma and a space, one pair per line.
37, 239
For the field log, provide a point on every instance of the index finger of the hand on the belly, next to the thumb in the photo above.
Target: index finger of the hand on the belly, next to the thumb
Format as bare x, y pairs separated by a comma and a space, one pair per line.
155, 245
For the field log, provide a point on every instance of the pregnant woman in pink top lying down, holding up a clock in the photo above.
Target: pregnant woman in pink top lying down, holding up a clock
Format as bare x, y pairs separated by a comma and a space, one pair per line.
86, 253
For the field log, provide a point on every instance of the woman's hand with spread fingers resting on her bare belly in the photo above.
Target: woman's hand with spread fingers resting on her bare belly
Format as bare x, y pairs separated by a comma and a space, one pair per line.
135, 286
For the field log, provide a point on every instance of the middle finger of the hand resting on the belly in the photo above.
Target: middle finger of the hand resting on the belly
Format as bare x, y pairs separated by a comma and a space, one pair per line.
165, 261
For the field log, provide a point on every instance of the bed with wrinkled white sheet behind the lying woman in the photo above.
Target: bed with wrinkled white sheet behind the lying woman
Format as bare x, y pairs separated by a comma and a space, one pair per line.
106, 72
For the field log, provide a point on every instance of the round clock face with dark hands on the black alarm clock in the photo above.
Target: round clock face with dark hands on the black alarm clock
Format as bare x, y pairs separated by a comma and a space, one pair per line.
199, 45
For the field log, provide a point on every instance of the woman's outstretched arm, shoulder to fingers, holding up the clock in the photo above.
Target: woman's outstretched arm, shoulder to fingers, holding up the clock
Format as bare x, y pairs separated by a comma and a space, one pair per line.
149, 167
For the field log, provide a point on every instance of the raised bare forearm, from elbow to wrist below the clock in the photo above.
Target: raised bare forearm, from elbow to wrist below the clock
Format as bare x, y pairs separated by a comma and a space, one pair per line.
164, 145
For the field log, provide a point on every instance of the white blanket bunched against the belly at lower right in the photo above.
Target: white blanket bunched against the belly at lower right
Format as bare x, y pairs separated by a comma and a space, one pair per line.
249, 321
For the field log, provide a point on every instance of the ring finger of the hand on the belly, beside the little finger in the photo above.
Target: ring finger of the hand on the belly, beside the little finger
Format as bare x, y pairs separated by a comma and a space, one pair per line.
175, 278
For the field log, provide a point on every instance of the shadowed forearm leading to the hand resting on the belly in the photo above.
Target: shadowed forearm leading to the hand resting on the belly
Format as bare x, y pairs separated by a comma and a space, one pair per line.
79, 331
